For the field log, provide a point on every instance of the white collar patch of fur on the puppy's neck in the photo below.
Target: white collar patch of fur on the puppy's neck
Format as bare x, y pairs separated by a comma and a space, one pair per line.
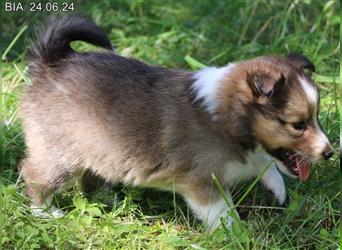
207, 84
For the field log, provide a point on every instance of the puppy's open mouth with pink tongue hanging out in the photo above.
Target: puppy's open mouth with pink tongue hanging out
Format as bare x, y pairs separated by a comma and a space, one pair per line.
295, 163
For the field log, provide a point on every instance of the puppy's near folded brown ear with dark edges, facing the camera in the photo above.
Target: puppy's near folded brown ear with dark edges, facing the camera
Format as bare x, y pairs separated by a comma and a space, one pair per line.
263, 84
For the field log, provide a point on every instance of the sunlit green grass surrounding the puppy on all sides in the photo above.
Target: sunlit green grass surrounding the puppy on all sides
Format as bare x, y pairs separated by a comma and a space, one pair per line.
184, 34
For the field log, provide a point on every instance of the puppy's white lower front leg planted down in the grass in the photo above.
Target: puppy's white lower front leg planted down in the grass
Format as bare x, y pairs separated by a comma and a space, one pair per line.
211, 210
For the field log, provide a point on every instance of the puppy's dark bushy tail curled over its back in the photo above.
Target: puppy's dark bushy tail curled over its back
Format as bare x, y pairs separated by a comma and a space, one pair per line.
53, 41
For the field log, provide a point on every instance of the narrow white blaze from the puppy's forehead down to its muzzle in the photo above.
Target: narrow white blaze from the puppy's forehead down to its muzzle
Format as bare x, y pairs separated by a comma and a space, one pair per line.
313, 97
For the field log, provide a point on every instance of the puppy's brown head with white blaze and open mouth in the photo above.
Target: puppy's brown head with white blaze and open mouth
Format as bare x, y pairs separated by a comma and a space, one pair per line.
284, 103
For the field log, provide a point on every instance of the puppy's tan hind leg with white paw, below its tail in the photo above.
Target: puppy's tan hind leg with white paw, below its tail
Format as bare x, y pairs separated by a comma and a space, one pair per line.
42, 180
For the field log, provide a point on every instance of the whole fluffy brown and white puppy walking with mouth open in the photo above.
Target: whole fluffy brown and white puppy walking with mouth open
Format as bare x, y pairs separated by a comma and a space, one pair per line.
130, 122
